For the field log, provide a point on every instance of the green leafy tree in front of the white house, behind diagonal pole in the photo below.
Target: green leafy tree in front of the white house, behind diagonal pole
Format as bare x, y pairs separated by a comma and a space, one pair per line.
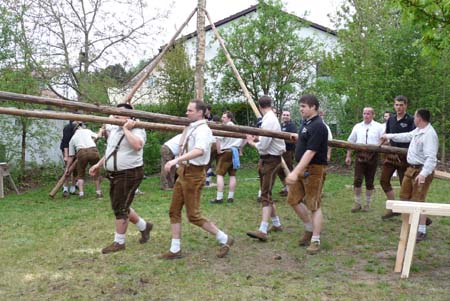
269, 54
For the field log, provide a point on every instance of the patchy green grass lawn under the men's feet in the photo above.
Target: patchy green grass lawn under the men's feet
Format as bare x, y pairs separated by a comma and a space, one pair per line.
50, 250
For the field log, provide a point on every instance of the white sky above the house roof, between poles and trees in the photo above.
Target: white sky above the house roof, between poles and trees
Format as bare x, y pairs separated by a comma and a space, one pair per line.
313, 10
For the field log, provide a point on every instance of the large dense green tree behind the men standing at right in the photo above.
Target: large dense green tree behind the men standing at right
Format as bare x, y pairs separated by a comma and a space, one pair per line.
376, 60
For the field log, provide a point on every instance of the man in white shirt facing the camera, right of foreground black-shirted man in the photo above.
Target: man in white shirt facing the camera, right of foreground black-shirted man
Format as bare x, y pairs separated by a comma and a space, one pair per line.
366, 132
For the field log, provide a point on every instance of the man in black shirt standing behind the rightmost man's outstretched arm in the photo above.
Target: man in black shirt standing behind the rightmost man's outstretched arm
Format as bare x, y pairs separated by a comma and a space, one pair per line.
401, 122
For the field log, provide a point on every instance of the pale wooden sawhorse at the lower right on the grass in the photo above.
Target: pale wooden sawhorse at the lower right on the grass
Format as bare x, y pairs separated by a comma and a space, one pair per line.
411, 212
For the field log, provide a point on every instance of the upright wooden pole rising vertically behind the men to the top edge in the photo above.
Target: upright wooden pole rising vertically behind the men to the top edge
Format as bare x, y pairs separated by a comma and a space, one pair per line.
200, 57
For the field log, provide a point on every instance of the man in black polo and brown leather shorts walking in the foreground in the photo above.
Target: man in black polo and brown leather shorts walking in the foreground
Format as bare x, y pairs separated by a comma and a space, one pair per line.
306, 180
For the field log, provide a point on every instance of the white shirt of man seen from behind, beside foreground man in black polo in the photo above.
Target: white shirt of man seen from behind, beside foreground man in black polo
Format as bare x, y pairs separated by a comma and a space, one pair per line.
269, 145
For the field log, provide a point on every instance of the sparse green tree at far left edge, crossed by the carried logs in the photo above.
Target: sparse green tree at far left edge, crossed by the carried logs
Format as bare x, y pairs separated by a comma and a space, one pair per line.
16, 75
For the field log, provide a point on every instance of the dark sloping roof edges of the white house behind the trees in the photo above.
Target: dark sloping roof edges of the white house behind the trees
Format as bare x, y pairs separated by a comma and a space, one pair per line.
219, 23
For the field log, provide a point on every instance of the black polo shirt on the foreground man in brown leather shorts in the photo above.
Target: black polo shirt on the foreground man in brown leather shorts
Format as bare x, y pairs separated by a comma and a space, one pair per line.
313, 135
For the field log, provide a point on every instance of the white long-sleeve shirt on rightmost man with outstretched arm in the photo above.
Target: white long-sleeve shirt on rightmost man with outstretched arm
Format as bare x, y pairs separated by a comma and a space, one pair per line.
422, 149
